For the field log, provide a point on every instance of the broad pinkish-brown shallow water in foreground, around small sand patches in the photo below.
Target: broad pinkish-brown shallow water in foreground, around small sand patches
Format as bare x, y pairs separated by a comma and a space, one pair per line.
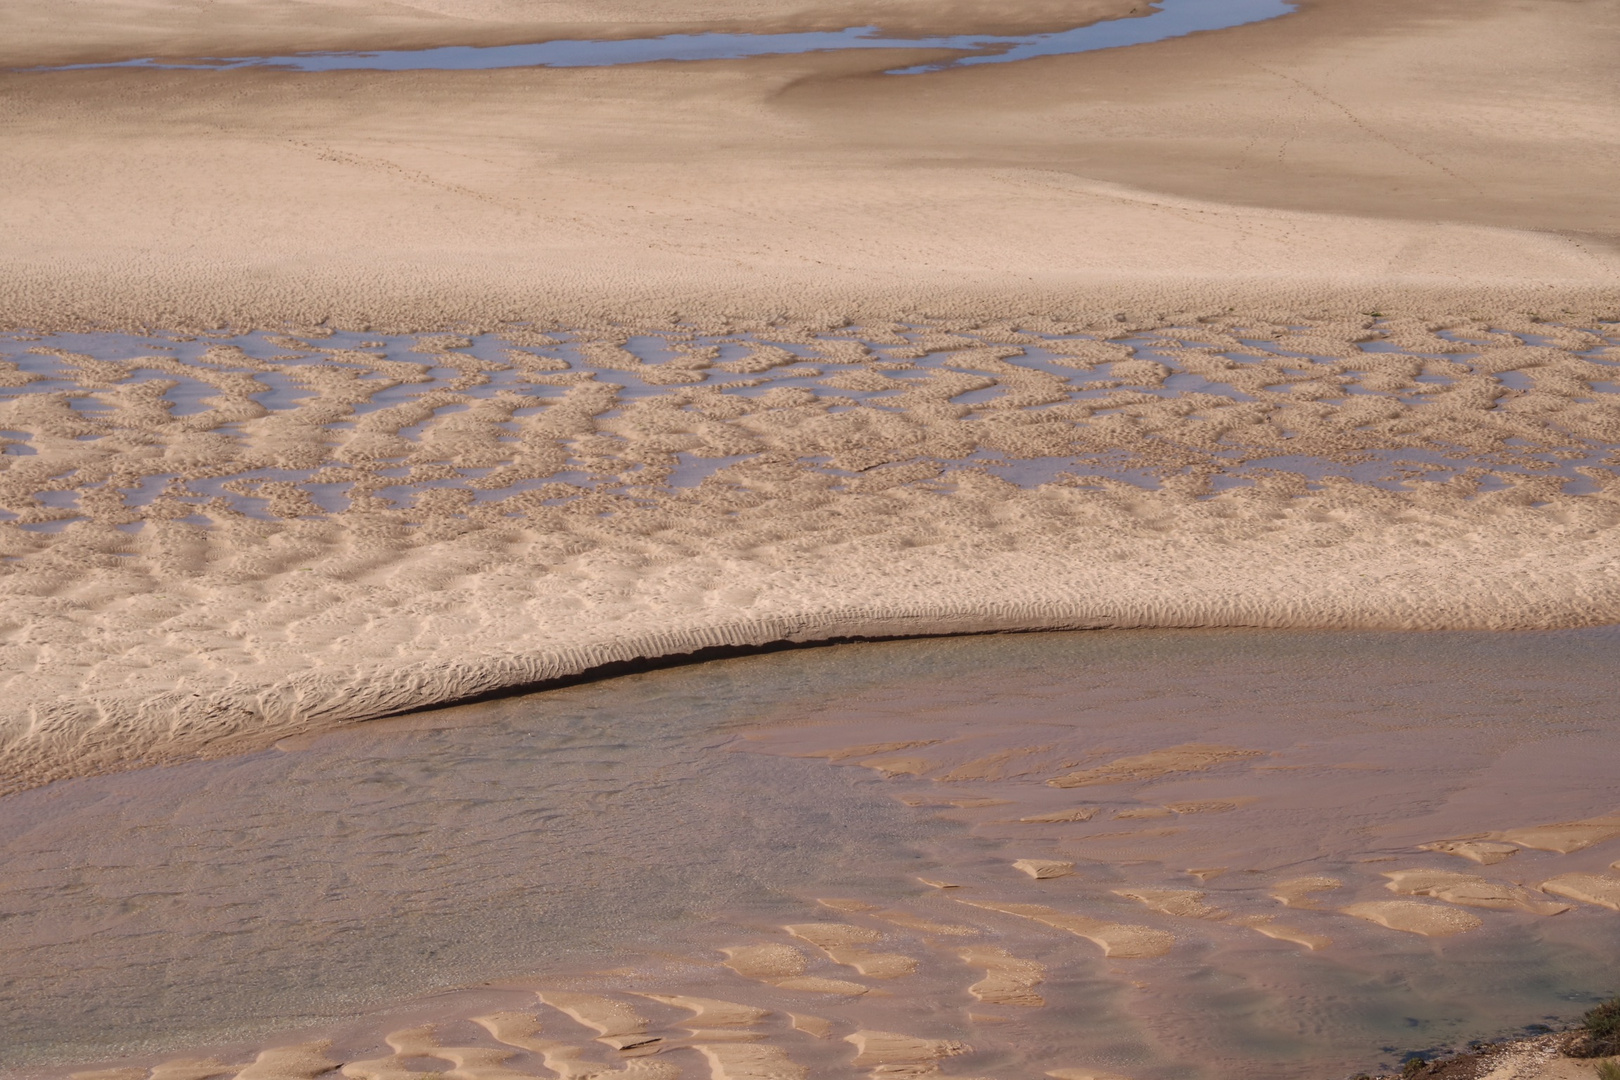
612, 838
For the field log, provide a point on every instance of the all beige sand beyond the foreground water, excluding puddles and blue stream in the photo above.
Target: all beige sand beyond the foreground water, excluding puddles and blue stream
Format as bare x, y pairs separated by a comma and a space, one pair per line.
1273, 181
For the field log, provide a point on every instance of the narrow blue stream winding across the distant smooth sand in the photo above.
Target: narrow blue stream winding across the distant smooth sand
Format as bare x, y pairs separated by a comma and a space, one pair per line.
1169, 19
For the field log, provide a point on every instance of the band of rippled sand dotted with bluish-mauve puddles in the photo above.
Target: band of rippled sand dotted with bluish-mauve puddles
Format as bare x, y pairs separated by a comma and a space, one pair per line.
304, 427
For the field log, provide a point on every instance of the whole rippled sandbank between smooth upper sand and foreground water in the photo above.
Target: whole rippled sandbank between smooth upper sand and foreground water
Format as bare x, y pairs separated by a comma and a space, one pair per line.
215, 542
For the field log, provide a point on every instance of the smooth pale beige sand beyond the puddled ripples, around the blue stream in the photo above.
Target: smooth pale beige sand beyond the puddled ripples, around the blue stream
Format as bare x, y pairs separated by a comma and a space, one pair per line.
1358, 153
